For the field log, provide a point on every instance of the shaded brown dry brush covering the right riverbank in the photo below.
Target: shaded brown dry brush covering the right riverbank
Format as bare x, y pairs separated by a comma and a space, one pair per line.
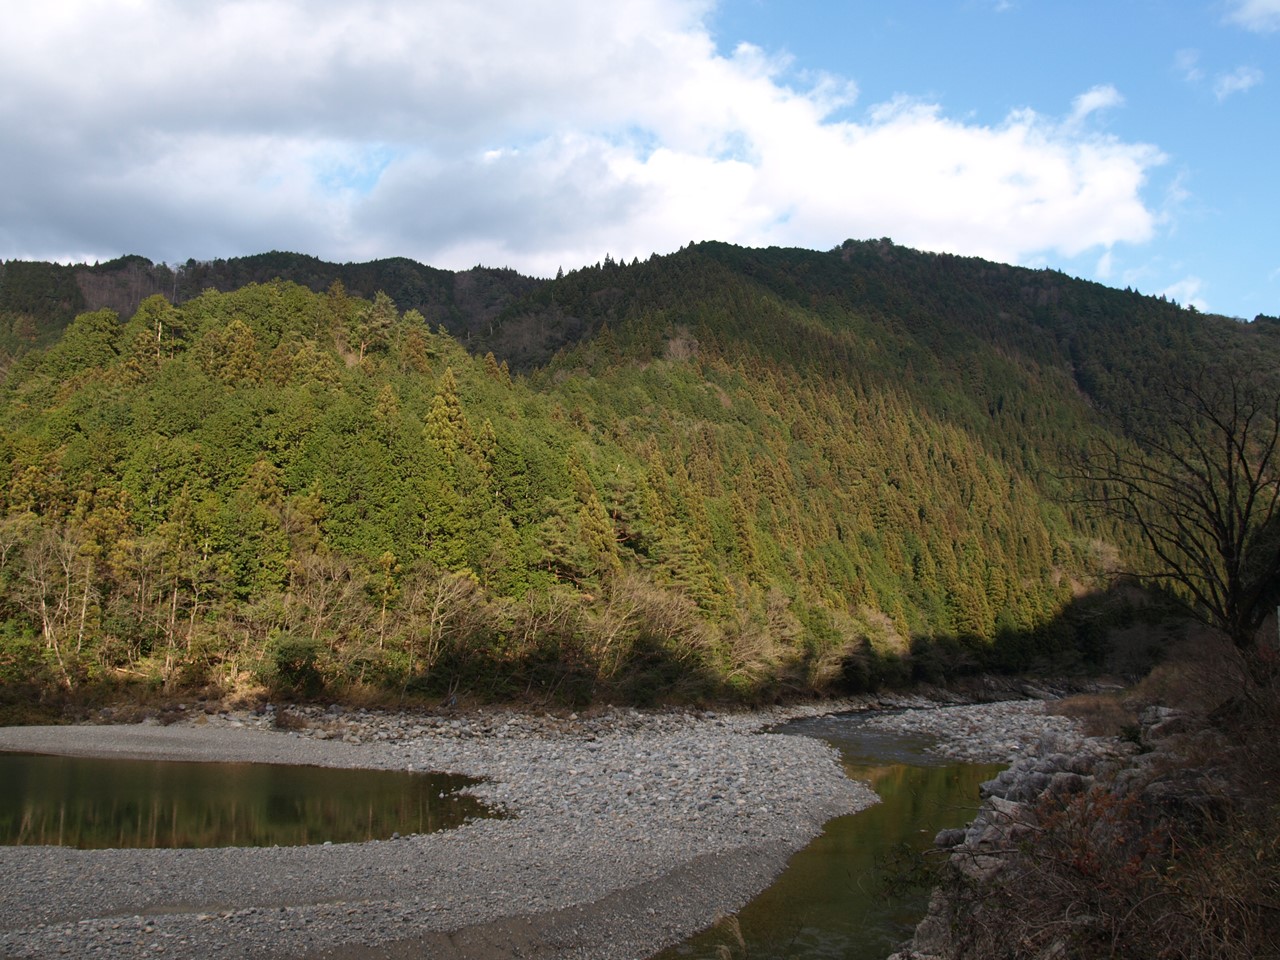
1174, 856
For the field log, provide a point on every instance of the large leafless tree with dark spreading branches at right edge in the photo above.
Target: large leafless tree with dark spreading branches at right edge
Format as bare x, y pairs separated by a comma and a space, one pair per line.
1200, 481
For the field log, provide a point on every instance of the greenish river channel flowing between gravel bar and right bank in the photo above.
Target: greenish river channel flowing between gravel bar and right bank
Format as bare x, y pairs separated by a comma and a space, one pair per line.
848, 895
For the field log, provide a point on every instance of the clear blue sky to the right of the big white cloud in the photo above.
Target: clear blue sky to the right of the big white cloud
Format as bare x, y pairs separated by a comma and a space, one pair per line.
1199, 81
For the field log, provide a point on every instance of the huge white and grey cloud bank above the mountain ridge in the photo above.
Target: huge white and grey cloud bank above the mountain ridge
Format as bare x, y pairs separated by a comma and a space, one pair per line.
508, 134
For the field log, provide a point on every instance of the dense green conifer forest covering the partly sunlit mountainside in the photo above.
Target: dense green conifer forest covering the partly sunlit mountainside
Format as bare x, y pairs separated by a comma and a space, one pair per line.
720, 473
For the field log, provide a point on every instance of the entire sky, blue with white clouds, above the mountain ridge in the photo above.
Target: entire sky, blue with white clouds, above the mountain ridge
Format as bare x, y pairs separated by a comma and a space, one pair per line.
1133, 143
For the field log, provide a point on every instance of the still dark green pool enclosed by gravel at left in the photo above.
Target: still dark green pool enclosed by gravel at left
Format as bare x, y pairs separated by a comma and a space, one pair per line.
95, 804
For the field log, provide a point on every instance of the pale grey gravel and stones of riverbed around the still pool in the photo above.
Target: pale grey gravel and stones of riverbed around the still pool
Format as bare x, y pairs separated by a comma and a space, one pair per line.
627, 831
